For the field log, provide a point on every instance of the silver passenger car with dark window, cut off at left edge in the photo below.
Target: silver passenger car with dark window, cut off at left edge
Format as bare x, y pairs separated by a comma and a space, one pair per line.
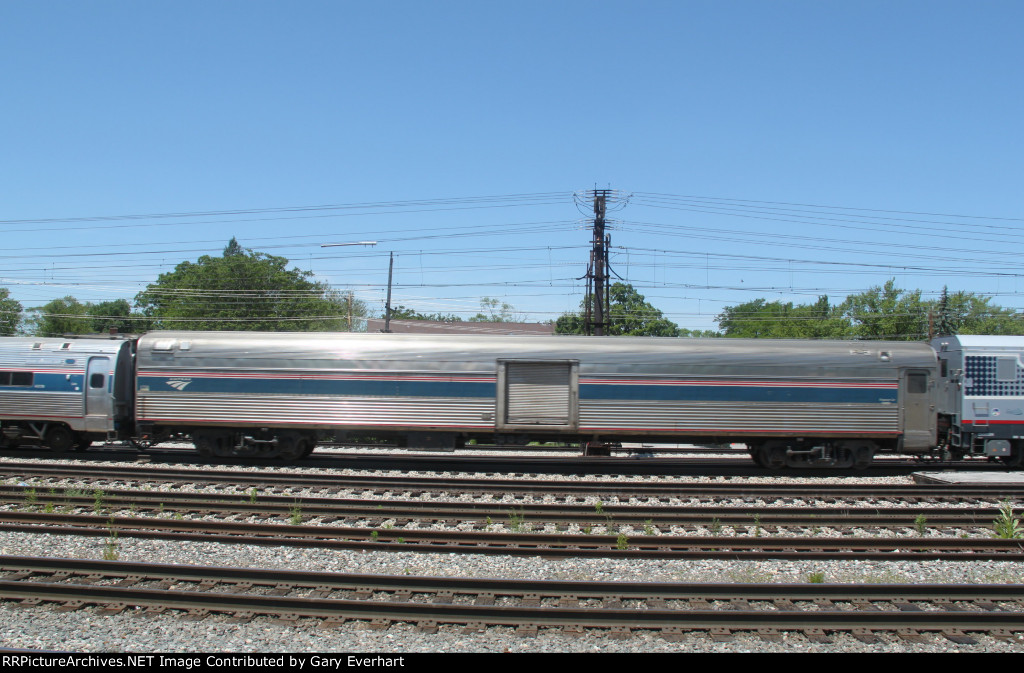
65, 393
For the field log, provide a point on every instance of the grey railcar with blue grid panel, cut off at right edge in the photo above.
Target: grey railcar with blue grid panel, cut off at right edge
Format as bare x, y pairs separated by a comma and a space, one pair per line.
982, 396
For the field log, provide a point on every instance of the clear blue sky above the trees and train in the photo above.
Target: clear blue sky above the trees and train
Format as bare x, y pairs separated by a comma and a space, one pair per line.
780, 150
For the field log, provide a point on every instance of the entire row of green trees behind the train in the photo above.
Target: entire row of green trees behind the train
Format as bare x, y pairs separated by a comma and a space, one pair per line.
243, 289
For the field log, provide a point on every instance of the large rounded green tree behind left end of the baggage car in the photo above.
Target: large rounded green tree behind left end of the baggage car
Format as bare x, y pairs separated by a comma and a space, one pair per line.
245, 290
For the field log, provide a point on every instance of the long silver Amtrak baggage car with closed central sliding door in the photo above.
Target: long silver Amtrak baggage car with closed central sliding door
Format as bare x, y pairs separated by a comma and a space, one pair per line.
794, 403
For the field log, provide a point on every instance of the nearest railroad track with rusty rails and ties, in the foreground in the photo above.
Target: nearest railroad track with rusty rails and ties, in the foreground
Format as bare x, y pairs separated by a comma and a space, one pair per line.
957, 613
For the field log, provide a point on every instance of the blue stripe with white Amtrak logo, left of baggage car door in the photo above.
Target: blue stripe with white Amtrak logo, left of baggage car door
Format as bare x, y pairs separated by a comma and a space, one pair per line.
301, 387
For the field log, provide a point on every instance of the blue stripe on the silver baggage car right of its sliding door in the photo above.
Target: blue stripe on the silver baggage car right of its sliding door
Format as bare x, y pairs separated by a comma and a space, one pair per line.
739, 394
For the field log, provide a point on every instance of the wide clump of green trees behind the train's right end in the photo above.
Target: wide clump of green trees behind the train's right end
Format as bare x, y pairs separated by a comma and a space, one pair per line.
881, 313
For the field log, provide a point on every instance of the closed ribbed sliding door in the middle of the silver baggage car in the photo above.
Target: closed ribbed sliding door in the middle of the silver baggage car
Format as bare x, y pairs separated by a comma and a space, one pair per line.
538, 395
